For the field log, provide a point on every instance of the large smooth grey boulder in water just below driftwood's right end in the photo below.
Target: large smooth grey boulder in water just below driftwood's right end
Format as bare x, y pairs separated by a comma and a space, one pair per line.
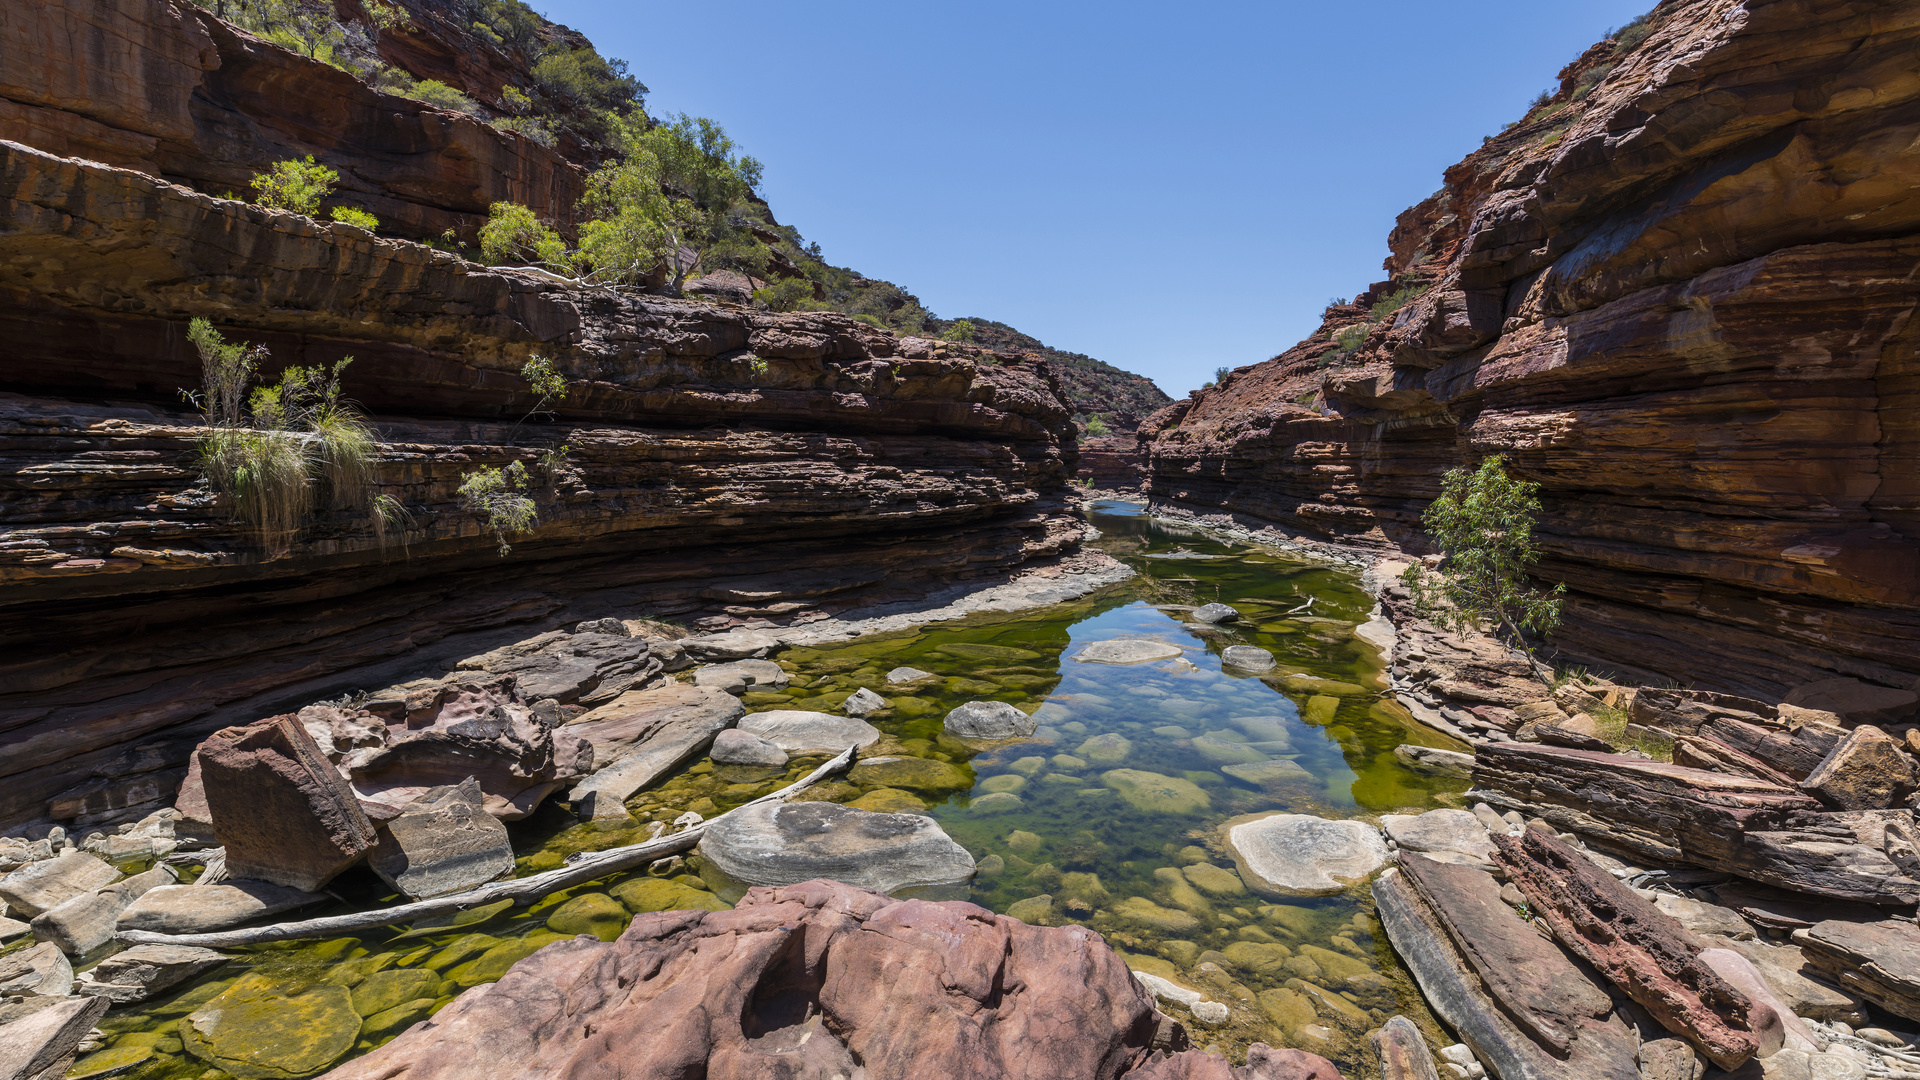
796, 843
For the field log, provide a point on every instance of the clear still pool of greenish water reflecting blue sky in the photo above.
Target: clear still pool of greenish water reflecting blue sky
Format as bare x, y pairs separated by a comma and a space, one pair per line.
1065, 825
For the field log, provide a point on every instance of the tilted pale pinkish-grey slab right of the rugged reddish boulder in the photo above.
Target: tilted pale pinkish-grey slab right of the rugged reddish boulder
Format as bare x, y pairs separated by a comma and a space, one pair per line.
640, 737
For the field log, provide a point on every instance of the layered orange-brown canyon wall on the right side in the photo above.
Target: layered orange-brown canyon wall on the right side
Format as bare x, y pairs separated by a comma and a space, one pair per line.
1679, 297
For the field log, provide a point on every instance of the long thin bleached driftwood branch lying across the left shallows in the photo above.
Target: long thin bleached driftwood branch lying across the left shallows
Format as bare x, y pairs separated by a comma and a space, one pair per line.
581, 870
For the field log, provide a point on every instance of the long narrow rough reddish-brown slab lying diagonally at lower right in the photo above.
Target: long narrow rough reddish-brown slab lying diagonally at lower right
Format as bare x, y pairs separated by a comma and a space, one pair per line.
1650, 956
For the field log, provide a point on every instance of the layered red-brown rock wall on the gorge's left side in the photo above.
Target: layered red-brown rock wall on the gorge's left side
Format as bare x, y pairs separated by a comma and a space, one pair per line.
719, 466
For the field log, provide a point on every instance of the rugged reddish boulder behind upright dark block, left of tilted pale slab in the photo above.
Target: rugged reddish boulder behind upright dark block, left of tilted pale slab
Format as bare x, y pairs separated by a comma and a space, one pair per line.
475, 727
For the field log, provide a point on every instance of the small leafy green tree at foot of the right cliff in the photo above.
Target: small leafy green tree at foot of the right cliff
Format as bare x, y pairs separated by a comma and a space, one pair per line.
1485, 528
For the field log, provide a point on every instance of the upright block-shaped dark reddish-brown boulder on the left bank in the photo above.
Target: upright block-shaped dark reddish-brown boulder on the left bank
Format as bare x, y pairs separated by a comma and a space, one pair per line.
279, 808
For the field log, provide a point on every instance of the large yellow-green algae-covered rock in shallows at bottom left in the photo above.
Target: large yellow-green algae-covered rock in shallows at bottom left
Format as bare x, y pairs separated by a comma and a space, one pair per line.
262, 1029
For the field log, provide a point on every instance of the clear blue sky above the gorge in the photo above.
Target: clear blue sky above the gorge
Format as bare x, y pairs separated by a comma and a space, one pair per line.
1163, 187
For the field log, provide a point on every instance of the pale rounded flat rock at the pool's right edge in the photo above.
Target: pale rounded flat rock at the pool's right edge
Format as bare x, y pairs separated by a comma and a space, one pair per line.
1295, 854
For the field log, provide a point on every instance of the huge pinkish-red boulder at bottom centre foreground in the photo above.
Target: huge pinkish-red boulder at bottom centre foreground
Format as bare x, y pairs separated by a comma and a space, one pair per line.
921, 989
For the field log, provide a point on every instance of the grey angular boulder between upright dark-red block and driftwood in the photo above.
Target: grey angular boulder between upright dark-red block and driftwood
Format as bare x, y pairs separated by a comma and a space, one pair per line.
444, 843
